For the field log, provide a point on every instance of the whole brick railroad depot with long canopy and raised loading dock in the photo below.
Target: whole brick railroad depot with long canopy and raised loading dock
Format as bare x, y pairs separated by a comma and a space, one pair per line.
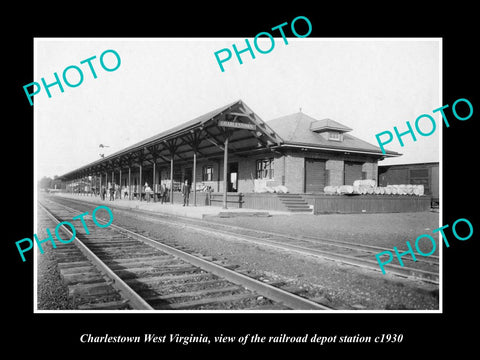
234, 159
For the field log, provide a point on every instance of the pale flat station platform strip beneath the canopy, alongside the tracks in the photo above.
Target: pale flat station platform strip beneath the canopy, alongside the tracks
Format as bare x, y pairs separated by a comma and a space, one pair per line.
197, 212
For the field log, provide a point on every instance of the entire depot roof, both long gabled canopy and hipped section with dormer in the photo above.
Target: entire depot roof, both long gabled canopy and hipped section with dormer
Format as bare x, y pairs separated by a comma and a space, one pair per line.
247, 134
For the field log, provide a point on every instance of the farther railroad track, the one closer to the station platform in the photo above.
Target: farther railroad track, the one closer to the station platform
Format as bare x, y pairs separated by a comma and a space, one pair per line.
360, 255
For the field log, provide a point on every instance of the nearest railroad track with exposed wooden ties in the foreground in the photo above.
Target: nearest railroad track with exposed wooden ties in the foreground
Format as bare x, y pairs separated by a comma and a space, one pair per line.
118, 268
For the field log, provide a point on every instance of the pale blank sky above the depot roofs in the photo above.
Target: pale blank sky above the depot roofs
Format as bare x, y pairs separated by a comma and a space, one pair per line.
369, 85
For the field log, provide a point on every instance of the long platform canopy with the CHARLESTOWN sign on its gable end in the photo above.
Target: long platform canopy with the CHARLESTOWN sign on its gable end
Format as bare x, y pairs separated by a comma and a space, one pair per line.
203, 137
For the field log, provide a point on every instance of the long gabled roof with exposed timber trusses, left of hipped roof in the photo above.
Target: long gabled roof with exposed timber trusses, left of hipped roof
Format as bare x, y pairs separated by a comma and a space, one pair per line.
209, 143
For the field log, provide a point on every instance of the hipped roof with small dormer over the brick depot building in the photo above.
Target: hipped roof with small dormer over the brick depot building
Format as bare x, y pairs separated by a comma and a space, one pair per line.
296, 129
